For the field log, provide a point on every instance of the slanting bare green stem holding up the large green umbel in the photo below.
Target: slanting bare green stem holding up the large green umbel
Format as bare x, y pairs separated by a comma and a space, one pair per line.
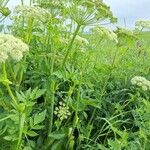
70, 45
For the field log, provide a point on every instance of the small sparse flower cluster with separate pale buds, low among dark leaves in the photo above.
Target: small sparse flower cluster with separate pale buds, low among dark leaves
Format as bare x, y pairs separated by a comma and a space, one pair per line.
62, 111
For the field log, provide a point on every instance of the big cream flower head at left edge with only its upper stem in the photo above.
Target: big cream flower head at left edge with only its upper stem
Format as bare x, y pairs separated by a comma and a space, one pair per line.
10, 47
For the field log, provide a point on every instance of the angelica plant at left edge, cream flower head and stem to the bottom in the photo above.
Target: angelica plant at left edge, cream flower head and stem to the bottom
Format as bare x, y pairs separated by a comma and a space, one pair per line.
12, 48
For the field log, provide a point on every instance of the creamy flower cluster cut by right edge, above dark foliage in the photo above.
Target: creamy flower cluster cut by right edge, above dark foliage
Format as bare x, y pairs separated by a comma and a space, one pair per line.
141, 82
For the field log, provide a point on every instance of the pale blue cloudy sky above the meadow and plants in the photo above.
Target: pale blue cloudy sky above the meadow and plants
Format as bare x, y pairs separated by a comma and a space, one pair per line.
127, 11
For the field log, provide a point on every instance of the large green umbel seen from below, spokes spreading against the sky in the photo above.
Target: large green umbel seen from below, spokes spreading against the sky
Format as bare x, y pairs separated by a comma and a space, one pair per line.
90, 12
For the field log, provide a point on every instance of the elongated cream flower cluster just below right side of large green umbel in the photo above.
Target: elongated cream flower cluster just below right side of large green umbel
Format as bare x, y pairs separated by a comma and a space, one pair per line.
104, 32
